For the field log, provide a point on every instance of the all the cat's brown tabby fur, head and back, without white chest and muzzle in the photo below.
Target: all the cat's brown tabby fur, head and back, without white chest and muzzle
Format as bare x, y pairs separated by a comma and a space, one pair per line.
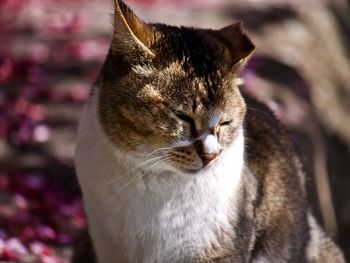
193, 71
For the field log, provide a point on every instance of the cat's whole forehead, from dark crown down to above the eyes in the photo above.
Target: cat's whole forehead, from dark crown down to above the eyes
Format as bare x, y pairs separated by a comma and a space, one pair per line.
190, 66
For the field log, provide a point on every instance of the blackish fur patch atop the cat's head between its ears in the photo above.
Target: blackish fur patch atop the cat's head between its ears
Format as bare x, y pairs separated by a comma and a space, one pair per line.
195, 51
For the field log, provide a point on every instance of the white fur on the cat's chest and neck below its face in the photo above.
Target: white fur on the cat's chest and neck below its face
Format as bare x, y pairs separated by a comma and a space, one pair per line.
171, 219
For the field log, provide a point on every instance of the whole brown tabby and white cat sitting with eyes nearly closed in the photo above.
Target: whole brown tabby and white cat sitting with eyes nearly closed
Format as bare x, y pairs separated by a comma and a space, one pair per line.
177, 165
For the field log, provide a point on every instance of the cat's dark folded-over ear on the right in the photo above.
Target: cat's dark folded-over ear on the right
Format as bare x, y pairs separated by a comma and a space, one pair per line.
241, 47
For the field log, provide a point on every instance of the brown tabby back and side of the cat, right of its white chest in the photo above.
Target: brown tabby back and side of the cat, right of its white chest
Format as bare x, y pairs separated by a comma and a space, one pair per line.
284, 221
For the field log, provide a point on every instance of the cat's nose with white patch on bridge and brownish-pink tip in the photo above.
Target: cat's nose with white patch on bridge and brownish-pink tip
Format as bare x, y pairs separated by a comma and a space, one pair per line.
207, 148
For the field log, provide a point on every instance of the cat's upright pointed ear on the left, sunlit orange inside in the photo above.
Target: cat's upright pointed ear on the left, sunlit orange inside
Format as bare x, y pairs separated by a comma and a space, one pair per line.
131, 37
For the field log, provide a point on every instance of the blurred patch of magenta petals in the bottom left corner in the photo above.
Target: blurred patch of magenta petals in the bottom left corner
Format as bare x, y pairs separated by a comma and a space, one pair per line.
38, 212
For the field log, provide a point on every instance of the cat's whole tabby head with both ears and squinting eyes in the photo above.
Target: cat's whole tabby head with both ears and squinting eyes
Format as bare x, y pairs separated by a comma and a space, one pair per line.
171, 93
